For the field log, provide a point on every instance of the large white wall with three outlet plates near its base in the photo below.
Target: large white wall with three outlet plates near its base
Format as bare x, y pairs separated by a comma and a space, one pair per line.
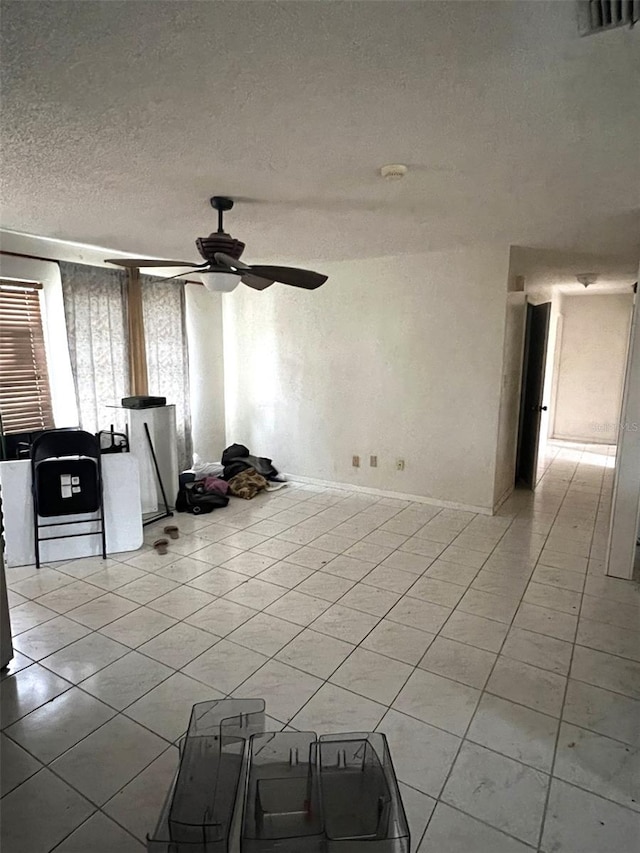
395, 356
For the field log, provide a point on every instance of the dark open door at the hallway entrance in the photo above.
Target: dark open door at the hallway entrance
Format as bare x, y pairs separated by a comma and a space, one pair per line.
531, 403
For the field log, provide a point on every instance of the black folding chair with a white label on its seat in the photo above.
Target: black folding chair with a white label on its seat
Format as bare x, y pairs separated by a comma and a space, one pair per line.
66, 479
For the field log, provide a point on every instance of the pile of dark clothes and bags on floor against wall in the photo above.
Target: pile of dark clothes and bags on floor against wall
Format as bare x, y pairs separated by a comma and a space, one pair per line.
239, 473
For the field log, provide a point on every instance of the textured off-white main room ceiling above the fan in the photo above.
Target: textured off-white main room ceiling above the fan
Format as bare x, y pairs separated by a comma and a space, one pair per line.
120, 119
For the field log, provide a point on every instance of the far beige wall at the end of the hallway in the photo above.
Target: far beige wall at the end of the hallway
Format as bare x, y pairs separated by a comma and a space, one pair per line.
589, 378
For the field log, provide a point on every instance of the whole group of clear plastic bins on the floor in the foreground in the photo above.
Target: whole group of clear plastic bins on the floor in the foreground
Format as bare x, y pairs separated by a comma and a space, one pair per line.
239, 788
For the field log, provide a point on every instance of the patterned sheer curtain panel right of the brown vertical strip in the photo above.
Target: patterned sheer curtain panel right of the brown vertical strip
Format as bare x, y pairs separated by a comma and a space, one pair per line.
167, 355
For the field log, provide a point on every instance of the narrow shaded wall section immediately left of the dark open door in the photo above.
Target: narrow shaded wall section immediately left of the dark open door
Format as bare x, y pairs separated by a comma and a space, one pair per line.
509, 414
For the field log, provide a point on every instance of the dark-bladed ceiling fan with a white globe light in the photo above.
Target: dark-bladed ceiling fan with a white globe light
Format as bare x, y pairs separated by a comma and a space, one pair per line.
223, 270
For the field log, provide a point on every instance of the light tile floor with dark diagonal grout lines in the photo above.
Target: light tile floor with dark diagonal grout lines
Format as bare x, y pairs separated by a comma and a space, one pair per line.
501, 663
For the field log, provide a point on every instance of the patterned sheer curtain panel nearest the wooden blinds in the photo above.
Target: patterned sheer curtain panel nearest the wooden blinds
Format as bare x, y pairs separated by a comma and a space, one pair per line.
95, 310
